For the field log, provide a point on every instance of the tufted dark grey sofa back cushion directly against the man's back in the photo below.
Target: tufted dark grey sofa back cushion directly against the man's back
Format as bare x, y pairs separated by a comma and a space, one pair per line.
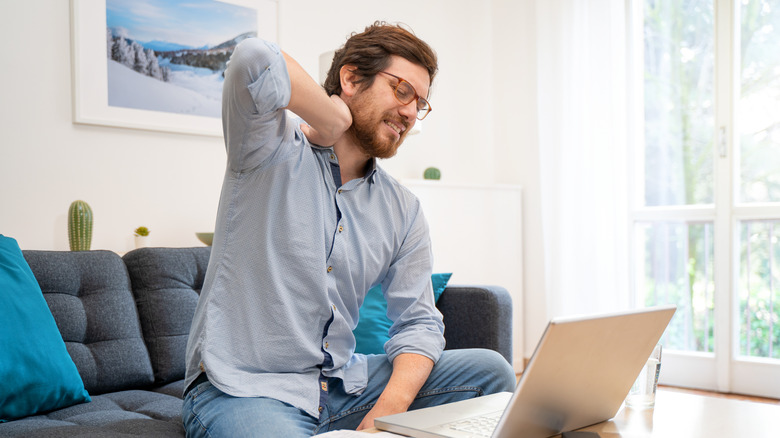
166, 283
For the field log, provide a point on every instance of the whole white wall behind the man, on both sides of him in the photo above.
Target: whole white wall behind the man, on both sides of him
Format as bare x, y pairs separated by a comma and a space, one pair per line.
482, 129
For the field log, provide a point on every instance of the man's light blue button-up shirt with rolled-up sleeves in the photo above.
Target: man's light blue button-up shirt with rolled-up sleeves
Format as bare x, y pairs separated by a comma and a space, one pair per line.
293, 252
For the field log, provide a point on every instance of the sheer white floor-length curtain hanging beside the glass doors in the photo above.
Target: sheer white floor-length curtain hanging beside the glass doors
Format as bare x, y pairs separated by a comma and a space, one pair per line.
581, 62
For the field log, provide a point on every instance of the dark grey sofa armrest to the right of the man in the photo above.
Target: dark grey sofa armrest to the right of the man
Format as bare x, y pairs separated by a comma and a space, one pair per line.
477, 317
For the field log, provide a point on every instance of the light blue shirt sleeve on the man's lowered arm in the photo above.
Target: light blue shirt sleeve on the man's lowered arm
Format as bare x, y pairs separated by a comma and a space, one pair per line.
417, 323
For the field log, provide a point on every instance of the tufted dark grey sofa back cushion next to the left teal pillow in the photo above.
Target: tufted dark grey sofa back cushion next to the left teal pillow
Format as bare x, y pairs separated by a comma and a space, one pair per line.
88, 293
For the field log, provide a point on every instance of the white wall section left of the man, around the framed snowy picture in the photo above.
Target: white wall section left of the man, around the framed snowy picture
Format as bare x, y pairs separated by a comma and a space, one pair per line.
167, 182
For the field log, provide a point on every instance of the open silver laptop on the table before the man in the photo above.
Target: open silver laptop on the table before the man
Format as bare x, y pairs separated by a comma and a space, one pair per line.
579, 375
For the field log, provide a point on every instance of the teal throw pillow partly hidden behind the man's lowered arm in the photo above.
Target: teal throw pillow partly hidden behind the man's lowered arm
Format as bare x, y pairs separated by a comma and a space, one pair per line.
373, 327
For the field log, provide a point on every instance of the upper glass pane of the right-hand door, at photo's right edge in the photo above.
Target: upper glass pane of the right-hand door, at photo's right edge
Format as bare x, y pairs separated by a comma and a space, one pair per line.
758, 112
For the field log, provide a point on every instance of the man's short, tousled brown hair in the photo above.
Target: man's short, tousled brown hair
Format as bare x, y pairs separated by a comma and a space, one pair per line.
370, 53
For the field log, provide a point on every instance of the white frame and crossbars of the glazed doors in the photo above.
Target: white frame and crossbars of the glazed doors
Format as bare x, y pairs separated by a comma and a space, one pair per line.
724, 369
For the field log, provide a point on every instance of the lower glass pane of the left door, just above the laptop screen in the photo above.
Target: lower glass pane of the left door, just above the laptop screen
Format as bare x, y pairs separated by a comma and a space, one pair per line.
674, 265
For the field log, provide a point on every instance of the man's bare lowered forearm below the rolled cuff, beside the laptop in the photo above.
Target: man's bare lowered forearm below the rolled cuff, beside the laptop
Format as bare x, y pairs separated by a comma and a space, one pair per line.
410, 371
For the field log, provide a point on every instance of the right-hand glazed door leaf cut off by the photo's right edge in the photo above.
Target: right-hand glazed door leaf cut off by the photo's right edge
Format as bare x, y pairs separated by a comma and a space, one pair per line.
757, 185
